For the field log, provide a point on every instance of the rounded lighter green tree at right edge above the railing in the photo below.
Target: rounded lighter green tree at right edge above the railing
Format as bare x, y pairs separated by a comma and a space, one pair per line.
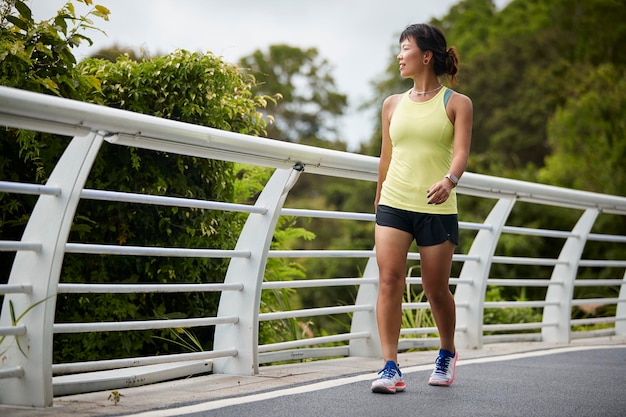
587, 134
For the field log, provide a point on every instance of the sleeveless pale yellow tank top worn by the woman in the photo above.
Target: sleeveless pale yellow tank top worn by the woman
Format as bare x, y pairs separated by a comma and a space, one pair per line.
422, 137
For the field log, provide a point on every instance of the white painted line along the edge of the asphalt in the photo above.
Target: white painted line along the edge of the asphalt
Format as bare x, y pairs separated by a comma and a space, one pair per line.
333, 383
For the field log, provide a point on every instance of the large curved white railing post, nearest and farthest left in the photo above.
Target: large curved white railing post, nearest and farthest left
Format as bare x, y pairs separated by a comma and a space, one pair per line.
49, 224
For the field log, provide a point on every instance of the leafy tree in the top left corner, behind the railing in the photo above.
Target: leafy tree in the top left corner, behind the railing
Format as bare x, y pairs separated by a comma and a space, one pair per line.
37, 56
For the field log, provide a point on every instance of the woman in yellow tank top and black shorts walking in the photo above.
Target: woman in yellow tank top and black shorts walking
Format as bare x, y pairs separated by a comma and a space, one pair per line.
426, 135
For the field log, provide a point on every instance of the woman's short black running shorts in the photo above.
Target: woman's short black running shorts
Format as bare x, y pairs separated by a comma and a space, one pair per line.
426, 229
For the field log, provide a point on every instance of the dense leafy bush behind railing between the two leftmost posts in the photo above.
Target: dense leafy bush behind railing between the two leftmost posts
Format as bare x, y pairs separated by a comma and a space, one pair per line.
191, 87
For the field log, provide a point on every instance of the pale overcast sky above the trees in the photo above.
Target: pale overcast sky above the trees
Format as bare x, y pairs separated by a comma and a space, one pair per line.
353, 35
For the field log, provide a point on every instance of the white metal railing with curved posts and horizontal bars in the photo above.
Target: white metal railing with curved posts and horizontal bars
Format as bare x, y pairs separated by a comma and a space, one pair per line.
34, 279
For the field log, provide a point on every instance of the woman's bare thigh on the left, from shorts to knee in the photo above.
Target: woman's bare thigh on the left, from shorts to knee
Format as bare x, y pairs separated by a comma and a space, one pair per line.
392, 246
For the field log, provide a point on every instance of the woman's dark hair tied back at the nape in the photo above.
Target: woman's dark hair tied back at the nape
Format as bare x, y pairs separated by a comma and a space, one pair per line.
431, 38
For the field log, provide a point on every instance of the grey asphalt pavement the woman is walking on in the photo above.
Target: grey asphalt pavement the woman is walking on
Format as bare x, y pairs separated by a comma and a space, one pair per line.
570, 383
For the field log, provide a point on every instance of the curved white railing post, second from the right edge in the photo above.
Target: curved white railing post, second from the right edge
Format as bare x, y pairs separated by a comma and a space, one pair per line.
558, 317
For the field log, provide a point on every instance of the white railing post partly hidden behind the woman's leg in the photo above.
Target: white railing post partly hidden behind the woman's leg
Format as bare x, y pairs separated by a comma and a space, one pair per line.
365, 321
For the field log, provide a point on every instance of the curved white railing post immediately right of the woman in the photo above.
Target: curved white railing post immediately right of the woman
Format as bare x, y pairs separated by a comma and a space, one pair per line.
473, 294
